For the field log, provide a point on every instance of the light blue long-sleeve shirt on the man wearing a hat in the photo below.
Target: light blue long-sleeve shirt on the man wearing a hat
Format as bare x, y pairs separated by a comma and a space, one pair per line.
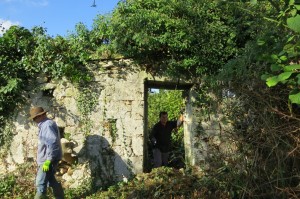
49, 146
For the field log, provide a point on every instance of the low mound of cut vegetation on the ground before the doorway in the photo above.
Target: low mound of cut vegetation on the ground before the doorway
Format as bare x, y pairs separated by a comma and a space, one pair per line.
166, 183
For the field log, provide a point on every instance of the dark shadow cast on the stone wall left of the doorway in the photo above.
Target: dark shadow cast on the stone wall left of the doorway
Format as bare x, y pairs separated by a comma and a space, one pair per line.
106, 166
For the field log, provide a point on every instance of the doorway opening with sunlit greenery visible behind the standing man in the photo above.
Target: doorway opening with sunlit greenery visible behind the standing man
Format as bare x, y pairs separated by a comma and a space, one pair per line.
172, 98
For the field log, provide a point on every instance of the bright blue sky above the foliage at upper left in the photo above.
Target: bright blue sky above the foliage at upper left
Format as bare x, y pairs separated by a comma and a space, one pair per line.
58, 16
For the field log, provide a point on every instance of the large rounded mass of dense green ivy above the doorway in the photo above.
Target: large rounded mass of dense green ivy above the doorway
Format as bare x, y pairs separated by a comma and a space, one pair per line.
185, 38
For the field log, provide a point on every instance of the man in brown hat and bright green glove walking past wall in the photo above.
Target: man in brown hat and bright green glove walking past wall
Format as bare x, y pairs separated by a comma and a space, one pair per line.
48, 155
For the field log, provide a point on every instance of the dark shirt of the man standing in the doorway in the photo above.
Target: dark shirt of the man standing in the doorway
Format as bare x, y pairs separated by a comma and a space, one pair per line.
162, 134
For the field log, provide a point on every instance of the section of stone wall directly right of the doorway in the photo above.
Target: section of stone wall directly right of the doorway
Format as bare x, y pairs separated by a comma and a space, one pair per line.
208, 133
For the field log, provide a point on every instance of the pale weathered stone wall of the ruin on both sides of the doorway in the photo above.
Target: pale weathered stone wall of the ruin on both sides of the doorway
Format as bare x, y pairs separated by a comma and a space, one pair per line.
102, 124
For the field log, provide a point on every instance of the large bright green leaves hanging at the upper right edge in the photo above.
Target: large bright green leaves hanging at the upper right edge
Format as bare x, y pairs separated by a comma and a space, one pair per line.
285, 61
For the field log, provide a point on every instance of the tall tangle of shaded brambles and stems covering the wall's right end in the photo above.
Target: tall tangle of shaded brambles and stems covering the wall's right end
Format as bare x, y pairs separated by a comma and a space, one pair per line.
261, 118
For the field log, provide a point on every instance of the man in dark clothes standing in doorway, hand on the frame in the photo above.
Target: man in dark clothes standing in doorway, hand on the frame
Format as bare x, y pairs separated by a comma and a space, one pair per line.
161, 138
